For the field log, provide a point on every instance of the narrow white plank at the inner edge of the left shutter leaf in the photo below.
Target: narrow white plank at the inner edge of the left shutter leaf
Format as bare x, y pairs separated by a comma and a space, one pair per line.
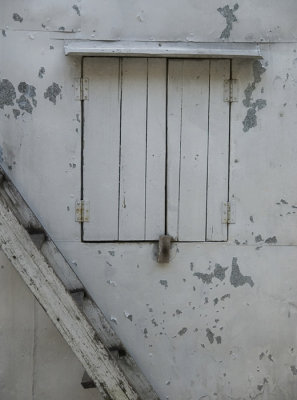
156, 149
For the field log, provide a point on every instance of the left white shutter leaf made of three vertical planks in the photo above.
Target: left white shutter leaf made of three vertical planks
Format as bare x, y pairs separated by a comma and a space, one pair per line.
125, 148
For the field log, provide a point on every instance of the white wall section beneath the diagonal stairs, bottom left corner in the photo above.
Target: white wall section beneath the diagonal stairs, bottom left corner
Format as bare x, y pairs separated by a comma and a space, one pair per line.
36, 363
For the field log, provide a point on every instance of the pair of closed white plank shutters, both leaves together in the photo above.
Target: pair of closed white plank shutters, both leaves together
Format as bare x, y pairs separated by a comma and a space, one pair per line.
126, 147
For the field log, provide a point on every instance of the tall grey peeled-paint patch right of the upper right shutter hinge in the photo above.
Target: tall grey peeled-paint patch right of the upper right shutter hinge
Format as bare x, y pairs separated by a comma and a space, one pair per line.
250, 120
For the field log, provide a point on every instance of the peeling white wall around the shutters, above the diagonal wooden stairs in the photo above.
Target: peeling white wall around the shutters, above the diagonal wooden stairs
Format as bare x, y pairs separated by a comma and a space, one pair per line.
229, 333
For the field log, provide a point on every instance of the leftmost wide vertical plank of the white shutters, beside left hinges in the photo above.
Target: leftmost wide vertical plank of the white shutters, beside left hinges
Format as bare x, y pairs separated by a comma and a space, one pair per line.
101, 147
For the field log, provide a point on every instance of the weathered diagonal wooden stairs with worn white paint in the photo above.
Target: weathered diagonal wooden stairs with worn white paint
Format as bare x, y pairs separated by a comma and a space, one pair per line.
50, 278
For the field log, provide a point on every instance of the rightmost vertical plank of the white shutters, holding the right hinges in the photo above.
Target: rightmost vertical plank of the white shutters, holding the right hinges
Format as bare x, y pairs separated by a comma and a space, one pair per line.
218, 152
